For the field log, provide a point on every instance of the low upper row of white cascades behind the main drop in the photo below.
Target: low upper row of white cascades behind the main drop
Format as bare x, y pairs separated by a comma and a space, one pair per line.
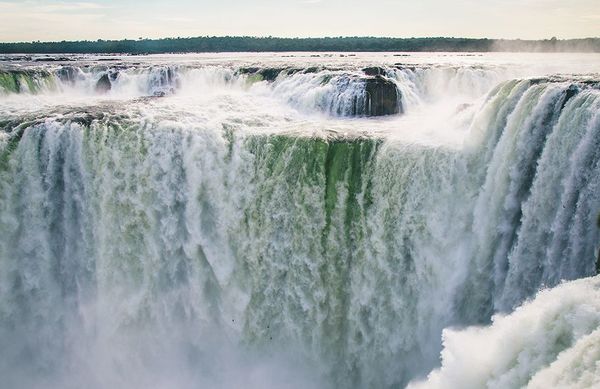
330, 91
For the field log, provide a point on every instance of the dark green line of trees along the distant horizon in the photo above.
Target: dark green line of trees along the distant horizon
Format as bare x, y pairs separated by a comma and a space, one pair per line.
256, 44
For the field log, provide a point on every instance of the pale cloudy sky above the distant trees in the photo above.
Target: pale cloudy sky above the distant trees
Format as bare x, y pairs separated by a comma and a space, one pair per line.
48, 20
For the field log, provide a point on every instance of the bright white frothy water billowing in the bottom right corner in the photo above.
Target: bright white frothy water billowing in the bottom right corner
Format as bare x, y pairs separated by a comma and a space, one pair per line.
550, 342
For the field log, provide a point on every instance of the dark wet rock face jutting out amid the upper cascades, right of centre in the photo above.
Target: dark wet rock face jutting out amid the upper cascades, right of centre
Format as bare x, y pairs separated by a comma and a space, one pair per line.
382, 97
